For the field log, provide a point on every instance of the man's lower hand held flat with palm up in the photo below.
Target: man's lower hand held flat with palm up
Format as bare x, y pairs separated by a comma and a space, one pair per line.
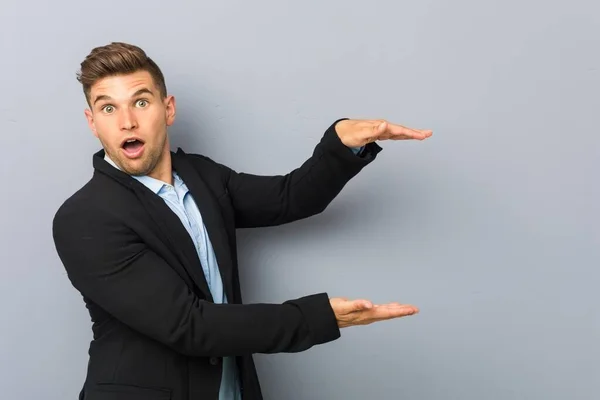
363, 312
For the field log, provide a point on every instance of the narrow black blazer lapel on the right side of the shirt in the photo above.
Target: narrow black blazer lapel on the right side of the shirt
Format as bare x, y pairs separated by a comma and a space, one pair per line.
211, 216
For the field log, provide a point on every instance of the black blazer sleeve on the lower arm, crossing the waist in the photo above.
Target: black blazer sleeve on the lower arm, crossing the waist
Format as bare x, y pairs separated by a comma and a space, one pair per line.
109, 265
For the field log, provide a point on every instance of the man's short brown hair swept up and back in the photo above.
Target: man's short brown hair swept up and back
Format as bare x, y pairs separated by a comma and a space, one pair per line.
118, 59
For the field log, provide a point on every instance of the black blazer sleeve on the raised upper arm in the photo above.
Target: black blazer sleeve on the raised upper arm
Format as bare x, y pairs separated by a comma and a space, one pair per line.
260, 201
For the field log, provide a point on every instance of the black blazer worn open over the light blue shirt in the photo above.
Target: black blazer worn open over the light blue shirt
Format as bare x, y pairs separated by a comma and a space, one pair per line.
156, 332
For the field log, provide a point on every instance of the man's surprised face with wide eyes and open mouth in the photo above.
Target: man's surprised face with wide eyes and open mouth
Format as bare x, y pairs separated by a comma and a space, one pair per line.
129, 117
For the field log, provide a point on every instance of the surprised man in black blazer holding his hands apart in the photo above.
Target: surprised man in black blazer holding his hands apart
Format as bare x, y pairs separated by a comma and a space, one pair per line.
150, 244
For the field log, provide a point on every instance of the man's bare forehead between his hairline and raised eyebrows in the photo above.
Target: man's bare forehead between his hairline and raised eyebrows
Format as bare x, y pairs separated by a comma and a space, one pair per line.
121, 86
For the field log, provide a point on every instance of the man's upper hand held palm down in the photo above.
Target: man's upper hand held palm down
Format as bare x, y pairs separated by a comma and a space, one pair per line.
357, 133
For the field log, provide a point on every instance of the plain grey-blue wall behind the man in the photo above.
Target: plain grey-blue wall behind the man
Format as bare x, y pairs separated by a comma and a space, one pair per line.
490, 226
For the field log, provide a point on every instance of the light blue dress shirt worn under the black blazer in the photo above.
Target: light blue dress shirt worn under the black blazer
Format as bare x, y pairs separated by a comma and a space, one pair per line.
178, 198
